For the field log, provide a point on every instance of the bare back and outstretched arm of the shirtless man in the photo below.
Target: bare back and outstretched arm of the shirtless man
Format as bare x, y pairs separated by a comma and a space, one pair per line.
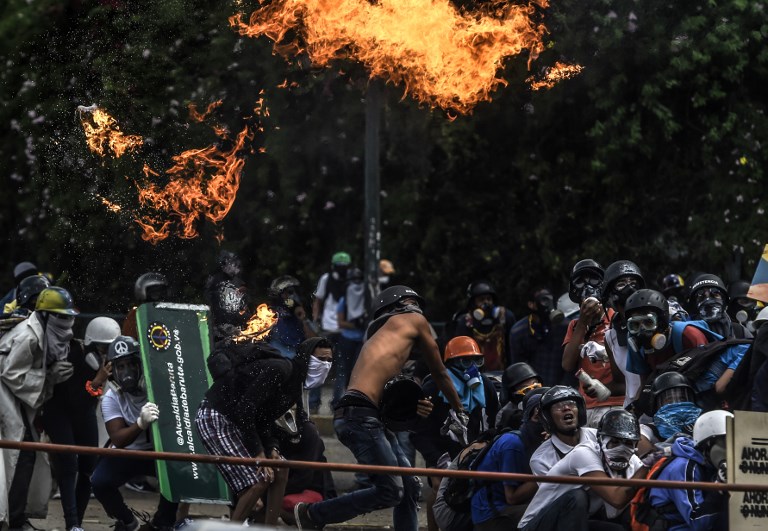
385, 353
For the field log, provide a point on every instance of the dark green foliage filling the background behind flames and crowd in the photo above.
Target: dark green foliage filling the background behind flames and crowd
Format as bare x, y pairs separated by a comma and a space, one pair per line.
654, 153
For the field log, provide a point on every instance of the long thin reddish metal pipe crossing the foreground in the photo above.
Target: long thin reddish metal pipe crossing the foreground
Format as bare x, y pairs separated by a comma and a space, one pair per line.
374, 469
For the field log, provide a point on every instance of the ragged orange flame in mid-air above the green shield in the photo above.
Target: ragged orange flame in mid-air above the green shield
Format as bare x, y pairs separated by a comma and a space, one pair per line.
204, 183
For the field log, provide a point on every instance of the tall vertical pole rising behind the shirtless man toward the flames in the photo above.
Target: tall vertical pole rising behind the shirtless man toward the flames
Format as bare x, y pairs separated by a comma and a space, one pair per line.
372, 186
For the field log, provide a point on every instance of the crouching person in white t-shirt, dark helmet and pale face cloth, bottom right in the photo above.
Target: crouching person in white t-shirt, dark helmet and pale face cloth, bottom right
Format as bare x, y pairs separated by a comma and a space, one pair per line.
560, 506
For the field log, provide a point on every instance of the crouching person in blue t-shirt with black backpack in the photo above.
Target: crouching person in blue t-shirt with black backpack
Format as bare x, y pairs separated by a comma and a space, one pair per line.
499, 506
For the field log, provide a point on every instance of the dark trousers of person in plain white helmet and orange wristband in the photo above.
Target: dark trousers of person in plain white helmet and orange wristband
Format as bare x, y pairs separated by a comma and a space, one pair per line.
72, 471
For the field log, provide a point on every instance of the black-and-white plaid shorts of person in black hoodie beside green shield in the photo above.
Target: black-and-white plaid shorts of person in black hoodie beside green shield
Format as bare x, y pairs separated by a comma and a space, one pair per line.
221, 437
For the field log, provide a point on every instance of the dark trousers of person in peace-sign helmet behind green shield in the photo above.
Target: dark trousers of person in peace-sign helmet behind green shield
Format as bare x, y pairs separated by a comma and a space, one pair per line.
112, 473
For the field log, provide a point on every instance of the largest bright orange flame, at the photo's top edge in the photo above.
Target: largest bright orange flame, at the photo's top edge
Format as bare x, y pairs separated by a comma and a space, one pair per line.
444, 57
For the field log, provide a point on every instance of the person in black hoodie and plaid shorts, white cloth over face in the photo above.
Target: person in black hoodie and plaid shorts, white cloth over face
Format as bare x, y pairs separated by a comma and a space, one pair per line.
253, 387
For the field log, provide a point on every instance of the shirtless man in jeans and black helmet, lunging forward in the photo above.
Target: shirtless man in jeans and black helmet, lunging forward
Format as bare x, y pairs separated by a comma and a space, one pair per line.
397, 328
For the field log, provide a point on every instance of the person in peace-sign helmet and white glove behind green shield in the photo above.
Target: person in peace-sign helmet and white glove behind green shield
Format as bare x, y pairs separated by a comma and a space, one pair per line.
127, 417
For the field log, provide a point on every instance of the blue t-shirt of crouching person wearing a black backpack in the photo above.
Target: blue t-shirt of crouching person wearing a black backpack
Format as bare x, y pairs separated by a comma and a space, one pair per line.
506, 455
